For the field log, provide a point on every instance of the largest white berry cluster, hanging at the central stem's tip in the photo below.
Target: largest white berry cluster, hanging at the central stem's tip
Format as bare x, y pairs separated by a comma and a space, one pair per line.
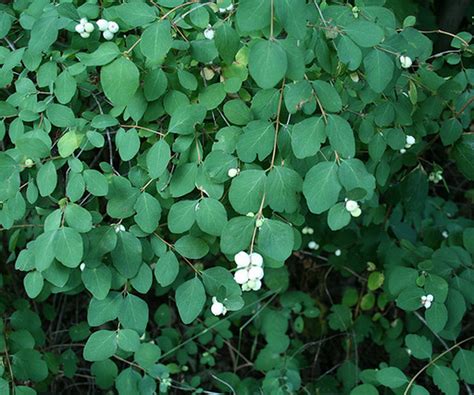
249, 272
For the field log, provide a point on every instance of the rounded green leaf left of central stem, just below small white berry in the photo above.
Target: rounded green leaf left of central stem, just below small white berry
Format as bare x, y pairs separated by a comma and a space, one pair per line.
246, 191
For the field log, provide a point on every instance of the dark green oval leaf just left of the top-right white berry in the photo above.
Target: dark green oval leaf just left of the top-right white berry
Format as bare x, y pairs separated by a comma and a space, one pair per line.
379, 69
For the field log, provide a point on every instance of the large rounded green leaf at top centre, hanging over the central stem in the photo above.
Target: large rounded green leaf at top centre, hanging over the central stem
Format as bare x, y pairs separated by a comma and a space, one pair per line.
267, 63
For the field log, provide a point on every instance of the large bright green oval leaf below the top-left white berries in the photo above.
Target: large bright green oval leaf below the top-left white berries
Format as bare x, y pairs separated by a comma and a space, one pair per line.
125, 71
